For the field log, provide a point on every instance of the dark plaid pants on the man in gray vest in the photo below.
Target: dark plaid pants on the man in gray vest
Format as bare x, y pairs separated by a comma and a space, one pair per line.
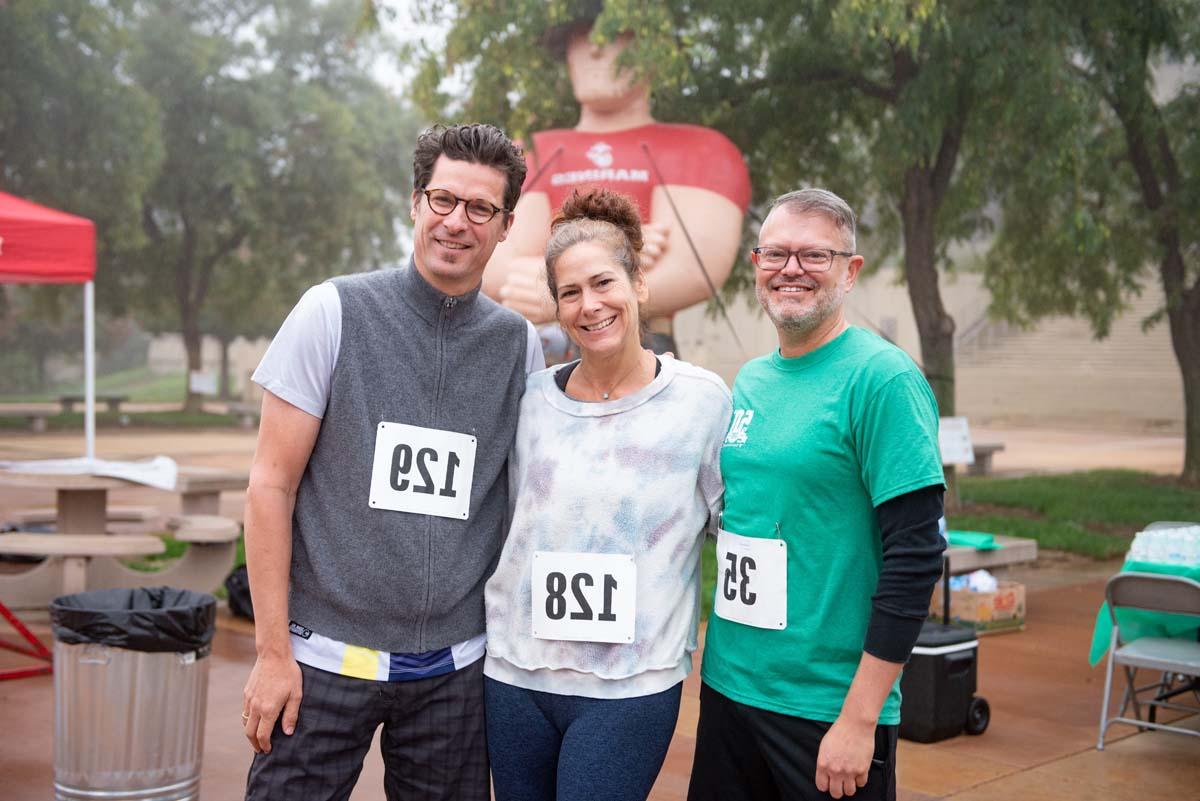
434, 743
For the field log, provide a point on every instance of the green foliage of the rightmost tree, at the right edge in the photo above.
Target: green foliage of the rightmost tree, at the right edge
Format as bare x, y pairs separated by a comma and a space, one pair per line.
1103, 188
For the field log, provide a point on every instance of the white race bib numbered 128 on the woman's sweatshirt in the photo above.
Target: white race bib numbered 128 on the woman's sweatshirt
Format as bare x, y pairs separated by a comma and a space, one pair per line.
585, 598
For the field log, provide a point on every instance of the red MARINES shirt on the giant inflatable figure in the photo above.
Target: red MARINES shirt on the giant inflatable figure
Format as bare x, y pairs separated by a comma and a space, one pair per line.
686, 155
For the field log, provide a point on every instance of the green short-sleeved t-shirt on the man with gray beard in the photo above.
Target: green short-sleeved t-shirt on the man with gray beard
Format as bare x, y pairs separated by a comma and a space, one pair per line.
817, 444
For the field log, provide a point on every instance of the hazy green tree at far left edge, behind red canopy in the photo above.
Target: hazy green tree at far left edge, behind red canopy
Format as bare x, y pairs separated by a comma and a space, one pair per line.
76, 135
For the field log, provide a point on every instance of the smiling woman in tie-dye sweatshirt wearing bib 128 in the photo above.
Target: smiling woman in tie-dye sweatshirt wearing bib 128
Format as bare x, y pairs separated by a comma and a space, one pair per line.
593, 609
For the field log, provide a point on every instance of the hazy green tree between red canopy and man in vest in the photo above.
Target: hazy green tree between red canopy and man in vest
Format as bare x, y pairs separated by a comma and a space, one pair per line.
285, 162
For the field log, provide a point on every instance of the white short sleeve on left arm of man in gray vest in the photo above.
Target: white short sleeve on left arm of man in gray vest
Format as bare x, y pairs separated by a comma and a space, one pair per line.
298, 366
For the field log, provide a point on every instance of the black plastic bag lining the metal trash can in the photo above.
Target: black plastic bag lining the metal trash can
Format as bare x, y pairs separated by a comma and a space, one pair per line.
152, 619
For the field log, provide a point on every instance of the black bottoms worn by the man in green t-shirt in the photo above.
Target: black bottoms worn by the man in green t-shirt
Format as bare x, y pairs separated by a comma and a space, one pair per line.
746, 754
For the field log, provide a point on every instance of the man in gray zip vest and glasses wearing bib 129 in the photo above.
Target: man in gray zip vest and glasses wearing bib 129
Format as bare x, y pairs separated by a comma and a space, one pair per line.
377, 499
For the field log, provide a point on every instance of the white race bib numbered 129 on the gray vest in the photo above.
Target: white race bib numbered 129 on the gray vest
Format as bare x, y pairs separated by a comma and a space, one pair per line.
423, 471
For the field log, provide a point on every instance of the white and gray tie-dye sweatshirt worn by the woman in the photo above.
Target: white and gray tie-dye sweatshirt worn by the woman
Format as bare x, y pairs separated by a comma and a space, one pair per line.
639, 477
